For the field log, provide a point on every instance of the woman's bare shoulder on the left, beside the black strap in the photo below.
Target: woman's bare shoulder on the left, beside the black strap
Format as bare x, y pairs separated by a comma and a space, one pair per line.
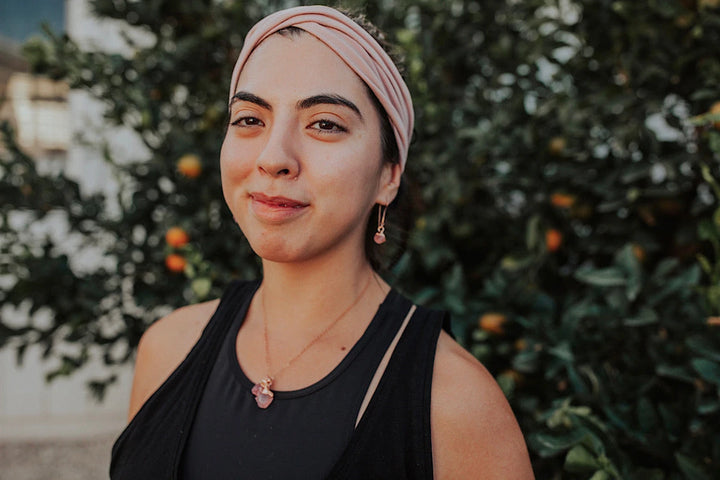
163, 346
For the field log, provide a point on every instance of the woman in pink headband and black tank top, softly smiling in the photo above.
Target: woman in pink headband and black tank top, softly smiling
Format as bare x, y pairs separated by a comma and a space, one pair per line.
320, 370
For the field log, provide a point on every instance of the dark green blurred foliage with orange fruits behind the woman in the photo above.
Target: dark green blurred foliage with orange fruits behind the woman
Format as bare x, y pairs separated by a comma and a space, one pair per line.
562, 178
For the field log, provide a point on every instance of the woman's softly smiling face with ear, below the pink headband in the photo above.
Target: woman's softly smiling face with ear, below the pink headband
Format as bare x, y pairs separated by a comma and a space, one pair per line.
301, 161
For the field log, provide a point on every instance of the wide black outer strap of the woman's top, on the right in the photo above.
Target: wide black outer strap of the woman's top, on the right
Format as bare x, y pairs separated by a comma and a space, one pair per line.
393, 438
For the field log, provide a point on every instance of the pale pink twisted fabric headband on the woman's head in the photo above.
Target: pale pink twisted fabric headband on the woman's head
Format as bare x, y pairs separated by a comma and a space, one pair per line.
356, 47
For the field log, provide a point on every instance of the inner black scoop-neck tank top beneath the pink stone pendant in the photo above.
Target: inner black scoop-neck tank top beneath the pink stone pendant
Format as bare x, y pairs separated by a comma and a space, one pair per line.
303, 433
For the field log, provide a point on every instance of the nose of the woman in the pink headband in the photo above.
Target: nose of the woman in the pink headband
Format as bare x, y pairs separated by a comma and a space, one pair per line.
279, 156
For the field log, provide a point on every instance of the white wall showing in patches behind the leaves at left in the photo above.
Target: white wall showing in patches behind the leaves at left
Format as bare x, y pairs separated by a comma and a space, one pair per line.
30, 408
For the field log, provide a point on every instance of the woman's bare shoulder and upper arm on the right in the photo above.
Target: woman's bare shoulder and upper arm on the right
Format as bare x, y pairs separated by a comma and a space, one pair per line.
473, 427
